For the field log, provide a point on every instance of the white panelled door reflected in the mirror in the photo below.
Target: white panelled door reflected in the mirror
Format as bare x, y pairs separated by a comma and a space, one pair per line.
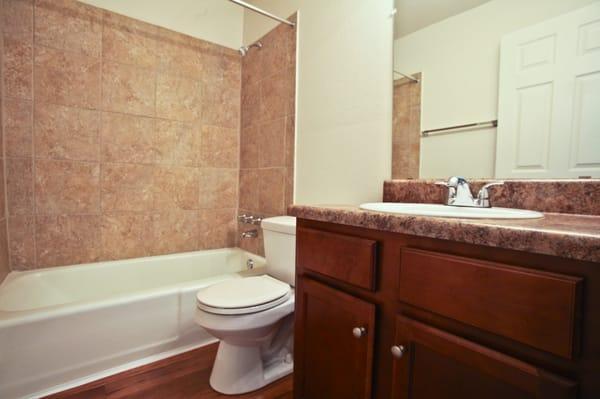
549, 99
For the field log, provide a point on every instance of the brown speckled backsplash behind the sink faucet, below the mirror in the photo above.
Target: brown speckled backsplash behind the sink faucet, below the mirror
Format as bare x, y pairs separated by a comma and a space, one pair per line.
559, 196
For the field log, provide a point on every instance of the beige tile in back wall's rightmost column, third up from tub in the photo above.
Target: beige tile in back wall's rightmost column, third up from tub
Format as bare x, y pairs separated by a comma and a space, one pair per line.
219, 147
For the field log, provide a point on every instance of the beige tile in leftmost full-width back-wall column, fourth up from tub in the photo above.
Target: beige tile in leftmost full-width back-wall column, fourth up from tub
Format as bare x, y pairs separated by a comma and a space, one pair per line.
66, 78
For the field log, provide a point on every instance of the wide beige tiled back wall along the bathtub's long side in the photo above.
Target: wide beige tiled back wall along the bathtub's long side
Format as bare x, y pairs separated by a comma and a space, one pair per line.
121, 138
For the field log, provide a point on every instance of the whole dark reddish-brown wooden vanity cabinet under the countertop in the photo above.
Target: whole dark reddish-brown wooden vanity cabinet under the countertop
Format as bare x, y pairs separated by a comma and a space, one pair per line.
464, 321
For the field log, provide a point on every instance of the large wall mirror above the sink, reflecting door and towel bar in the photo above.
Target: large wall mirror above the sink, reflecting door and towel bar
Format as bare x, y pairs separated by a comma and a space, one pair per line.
496, 89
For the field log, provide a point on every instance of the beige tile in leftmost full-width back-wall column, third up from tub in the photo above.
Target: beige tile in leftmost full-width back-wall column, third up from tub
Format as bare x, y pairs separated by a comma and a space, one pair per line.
66, 133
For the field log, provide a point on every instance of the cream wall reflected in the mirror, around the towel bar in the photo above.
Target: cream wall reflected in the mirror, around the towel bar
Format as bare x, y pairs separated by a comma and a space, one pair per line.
459, 61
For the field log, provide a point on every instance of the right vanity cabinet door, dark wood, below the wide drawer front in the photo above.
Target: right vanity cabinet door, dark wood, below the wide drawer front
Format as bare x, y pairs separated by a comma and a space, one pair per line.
431, 363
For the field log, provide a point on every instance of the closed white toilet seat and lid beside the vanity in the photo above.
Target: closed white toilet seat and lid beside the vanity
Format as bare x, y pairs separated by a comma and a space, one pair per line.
243, 296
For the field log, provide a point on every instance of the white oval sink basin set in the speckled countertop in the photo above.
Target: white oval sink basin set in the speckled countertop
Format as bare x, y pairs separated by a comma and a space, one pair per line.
438, 210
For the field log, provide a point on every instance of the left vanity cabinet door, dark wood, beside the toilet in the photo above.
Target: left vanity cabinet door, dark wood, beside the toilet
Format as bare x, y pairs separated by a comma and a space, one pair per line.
333, 343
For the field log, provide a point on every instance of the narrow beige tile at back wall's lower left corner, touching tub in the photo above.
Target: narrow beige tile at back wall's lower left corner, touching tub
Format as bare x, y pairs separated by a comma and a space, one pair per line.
21, 242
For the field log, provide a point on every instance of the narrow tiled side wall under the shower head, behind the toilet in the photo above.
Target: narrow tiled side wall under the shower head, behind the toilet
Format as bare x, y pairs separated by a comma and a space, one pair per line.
267, 134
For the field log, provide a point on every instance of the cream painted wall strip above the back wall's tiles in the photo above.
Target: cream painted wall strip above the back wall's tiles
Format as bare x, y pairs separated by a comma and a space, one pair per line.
217, 21
